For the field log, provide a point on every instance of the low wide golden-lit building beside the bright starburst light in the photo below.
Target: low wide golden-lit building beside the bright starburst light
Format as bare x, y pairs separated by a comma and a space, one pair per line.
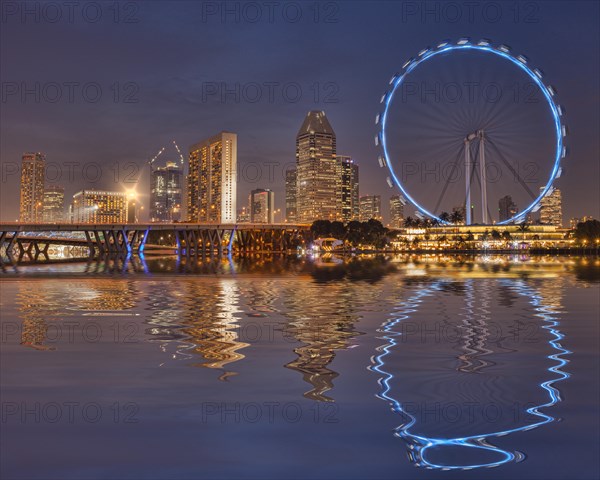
97, 206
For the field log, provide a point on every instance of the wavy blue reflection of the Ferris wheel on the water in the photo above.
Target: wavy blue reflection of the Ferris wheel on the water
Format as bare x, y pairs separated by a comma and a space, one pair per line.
474, 346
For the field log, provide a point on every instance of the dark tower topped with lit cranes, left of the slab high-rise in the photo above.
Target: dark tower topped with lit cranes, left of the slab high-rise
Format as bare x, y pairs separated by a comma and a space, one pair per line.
165, 193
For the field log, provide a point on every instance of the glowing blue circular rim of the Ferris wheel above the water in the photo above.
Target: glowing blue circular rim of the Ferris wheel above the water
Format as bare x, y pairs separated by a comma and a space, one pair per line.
500, 51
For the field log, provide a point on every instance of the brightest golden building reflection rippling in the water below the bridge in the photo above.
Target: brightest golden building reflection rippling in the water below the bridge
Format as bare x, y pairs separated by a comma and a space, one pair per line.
200, 319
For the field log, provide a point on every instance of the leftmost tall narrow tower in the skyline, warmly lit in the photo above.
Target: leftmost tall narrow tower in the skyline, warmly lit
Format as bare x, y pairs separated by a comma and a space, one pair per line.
32, 187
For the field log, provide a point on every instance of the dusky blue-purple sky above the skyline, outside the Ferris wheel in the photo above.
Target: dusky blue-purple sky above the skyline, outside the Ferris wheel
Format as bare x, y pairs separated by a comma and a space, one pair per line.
100, 87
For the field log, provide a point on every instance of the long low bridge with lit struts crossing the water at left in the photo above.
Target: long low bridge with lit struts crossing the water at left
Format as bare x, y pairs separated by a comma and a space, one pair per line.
19, 241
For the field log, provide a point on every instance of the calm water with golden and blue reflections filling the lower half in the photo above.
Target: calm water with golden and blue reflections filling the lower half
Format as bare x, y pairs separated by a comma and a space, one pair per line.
419, 367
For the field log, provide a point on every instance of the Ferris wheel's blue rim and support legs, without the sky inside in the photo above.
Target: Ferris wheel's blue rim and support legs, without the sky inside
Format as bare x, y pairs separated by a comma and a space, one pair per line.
477, 144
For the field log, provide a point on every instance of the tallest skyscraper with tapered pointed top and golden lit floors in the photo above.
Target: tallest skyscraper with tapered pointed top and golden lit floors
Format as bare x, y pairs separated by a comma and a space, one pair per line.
318, 180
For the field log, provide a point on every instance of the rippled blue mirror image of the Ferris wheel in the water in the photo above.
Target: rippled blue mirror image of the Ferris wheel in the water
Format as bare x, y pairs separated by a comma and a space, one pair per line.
424, 450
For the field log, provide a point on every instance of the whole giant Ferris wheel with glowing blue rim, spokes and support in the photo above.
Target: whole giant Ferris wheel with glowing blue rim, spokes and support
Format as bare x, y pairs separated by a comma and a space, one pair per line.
486, 144
